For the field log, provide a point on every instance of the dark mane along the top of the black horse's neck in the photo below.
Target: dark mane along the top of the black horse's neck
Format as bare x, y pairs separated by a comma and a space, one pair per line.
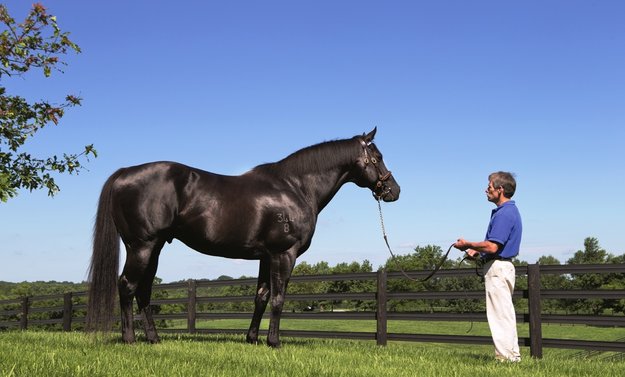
313, 159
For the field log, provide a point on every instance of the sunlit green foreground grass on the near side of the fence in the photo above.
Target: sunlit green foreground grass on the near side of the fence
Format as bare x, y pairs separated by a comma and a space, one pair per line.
34, 353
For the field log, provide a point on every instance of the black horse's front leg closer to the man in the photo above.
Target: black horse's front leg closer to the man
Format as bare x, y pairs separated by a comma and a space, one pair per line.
281, 267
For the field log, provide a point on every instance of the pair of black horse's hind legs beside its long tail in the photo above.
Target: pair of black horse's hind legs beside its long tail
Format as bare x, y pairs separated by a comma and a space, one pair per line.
140, 267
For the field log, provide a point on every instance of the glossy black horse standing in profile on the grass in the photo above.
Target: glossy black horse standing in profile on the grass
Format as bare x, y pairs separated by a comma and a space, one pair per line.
267, 214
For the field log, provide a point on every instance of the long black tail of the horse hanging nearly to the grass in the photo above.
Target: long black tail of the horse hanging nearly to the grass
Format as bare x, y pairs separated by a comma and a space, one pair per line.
104, 266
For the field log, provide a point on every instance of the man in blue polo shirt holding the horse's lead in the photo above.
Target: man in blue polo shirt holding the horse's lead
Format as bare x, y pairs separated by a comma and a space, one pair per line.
501, 244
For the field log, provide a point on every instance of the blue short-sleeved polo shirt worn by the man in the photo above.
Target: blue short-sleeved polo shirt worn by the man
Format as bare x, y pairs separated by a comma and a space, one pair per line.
506, 228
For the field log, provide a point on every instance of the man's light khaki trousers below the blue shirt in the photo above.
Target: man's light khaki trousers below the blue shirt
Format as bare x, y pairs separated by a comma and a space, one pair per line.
499, 278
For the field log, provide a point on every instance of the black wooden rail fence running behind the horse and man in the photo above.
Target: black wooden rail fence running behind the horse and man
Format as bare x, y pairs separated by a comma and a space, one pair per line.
22, 313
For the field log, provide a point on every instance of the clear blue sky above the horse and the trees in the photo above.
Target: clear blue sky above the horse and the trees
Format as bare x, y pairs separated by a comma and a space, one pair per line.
457, 89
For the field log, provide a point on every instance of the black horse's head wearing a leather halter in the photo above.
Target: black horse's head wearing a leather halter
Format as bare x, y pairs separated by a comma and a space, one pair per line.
372, 171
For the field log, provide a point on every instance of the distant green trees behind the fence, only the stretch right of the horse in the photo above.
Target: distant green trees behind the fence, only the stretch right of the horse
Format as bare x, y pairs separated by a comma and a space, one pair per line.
428, 257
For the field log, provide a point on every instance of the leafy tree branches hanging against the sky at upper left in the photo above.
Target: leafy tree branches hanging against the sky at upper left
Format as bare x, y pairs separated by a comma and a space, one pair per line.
37, 44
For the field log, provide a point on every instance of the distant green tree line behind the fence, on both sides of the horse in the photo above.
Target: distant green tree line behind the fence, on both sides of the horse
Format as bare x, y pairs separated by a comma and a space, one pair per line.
423, 258
